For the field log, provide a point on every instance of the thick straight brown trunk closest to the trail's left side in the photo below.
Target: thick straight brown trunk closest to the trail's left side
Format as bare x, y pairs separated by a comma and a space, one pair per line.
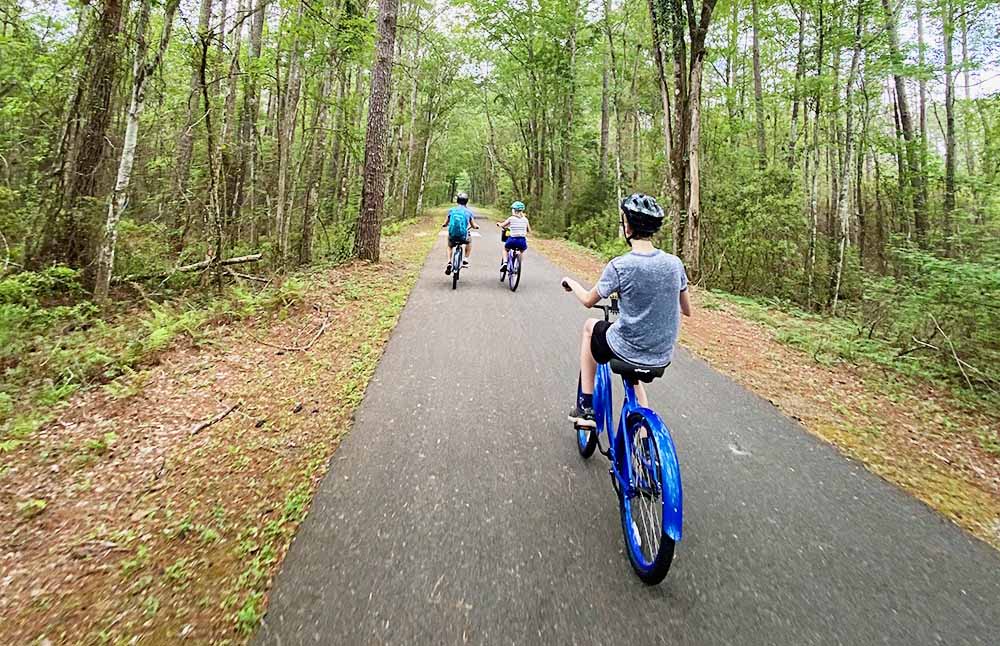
367, 238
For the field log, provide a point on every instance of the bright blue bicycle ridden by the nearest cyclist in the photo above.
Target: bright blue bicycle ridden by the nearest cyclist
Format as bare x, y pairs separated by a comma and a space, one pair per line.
644, 470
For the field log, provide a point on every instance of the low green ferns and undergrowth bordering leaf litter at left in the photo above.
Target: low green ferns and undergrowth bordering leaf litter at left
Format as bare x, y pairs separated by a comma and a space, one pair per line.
54, 341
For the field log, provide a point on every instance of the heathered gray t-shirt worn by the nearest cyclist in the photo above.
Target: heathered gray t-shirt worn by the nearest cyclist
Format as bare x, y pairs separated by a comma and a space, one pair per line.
649, 287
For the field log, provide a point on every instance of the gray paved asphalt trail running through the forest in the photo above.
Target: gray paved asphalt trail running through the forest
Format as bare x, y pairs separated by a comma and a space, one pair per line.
458, 510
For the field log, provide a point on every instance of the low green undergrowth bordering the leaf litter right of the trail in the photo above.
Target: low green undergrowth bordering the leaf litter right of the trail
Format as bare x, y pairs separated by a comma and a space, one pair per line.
840, 340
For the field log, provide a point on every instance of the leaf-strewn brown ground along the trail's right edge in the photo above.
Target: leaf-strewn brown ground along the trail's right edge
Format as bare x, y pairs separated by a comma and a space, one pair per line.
917, 435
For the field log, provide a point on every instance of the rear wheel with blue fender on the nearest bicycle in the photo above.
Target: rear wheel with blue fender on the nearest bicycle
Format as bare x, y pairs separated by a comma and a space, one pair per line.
646, 506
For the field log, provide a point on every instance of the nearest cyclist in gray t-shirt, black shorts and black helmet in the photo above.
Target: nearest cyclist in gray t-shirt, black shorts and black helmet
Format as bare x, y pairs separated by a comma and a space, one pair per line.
652, 290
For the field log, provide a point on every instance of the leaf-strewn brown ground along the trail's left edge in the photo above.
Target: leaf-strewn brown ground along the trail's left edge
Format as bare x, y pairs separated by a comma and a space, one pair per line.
126, 518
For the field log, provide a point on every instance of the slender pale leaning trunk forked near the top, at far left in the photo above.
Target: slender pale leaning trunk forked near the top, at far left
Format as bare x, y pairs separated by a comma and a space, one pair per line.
142, 70
